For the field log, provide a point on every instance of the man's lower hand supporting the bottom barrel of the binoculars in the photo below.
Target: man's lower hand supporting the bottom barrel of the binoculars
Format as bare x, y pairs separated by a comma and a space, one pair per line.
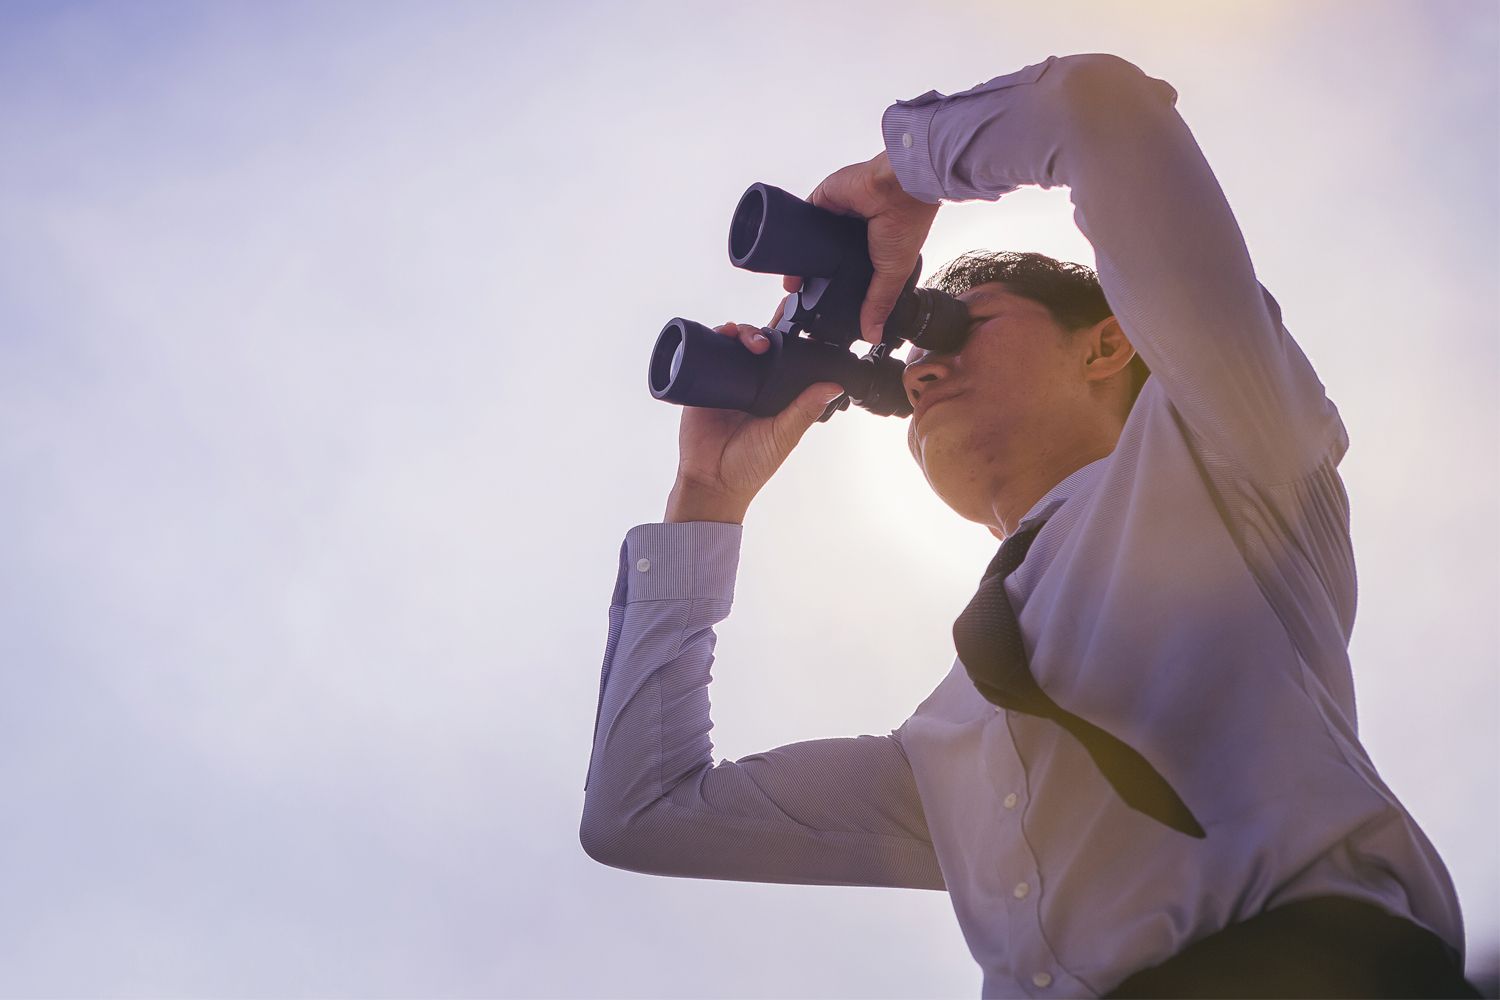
725, 457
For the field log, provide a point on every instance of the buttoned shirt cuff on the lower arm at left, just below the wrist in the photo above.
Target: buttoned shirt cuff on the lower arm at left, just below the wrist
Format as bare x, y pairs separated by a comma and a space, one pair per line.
670, 563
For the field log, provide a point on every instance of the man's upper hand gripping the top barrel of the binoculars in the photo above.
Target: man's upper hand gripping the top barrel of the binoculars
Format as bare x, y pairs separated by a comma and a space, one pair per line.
899, 226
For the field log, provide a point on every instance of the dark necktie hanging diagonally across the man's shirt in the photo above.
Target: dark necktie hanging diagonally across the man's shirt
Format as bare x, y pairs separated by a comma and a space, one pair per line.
989, 642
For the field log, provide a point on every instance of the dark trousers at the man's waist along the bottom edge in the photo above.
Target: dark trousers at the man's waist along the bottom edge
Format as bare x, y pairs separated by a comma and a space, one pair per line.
1327, 947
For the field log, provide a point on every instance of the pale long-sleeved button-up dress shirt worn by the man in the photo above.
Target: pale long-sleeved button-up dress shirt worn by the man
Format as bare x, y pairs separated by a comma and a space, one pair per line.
1193, 593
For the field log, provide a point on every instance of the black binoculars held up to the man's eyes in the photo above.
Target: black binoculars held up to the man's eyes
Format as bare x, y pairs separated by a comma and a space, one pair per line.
778, 233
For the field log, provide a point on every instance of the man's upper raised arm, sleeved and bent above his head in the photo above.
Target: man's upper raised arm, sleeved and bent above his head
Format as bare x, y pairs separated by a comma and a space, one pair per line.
1171, 256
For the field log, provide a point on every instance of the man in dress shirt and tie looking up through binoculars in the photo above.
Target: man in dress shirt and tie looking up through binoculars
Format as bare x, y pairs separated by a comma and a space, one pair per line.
1160, 791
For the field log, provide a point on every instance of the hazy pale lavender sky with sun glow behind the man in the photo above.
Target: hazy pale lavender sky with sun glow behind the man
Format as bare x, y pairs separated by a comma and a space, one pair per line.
323, 412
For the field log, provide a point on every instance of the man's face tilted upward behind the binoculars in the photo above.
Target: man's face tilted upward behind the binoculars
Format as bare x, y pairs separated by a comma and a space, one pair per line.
1001, 409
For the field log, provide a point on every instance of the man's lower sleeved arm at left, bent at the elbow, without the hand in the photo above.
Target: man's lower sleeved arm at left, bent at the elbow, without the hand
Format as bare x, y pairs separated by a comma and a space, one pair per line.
829, 812
